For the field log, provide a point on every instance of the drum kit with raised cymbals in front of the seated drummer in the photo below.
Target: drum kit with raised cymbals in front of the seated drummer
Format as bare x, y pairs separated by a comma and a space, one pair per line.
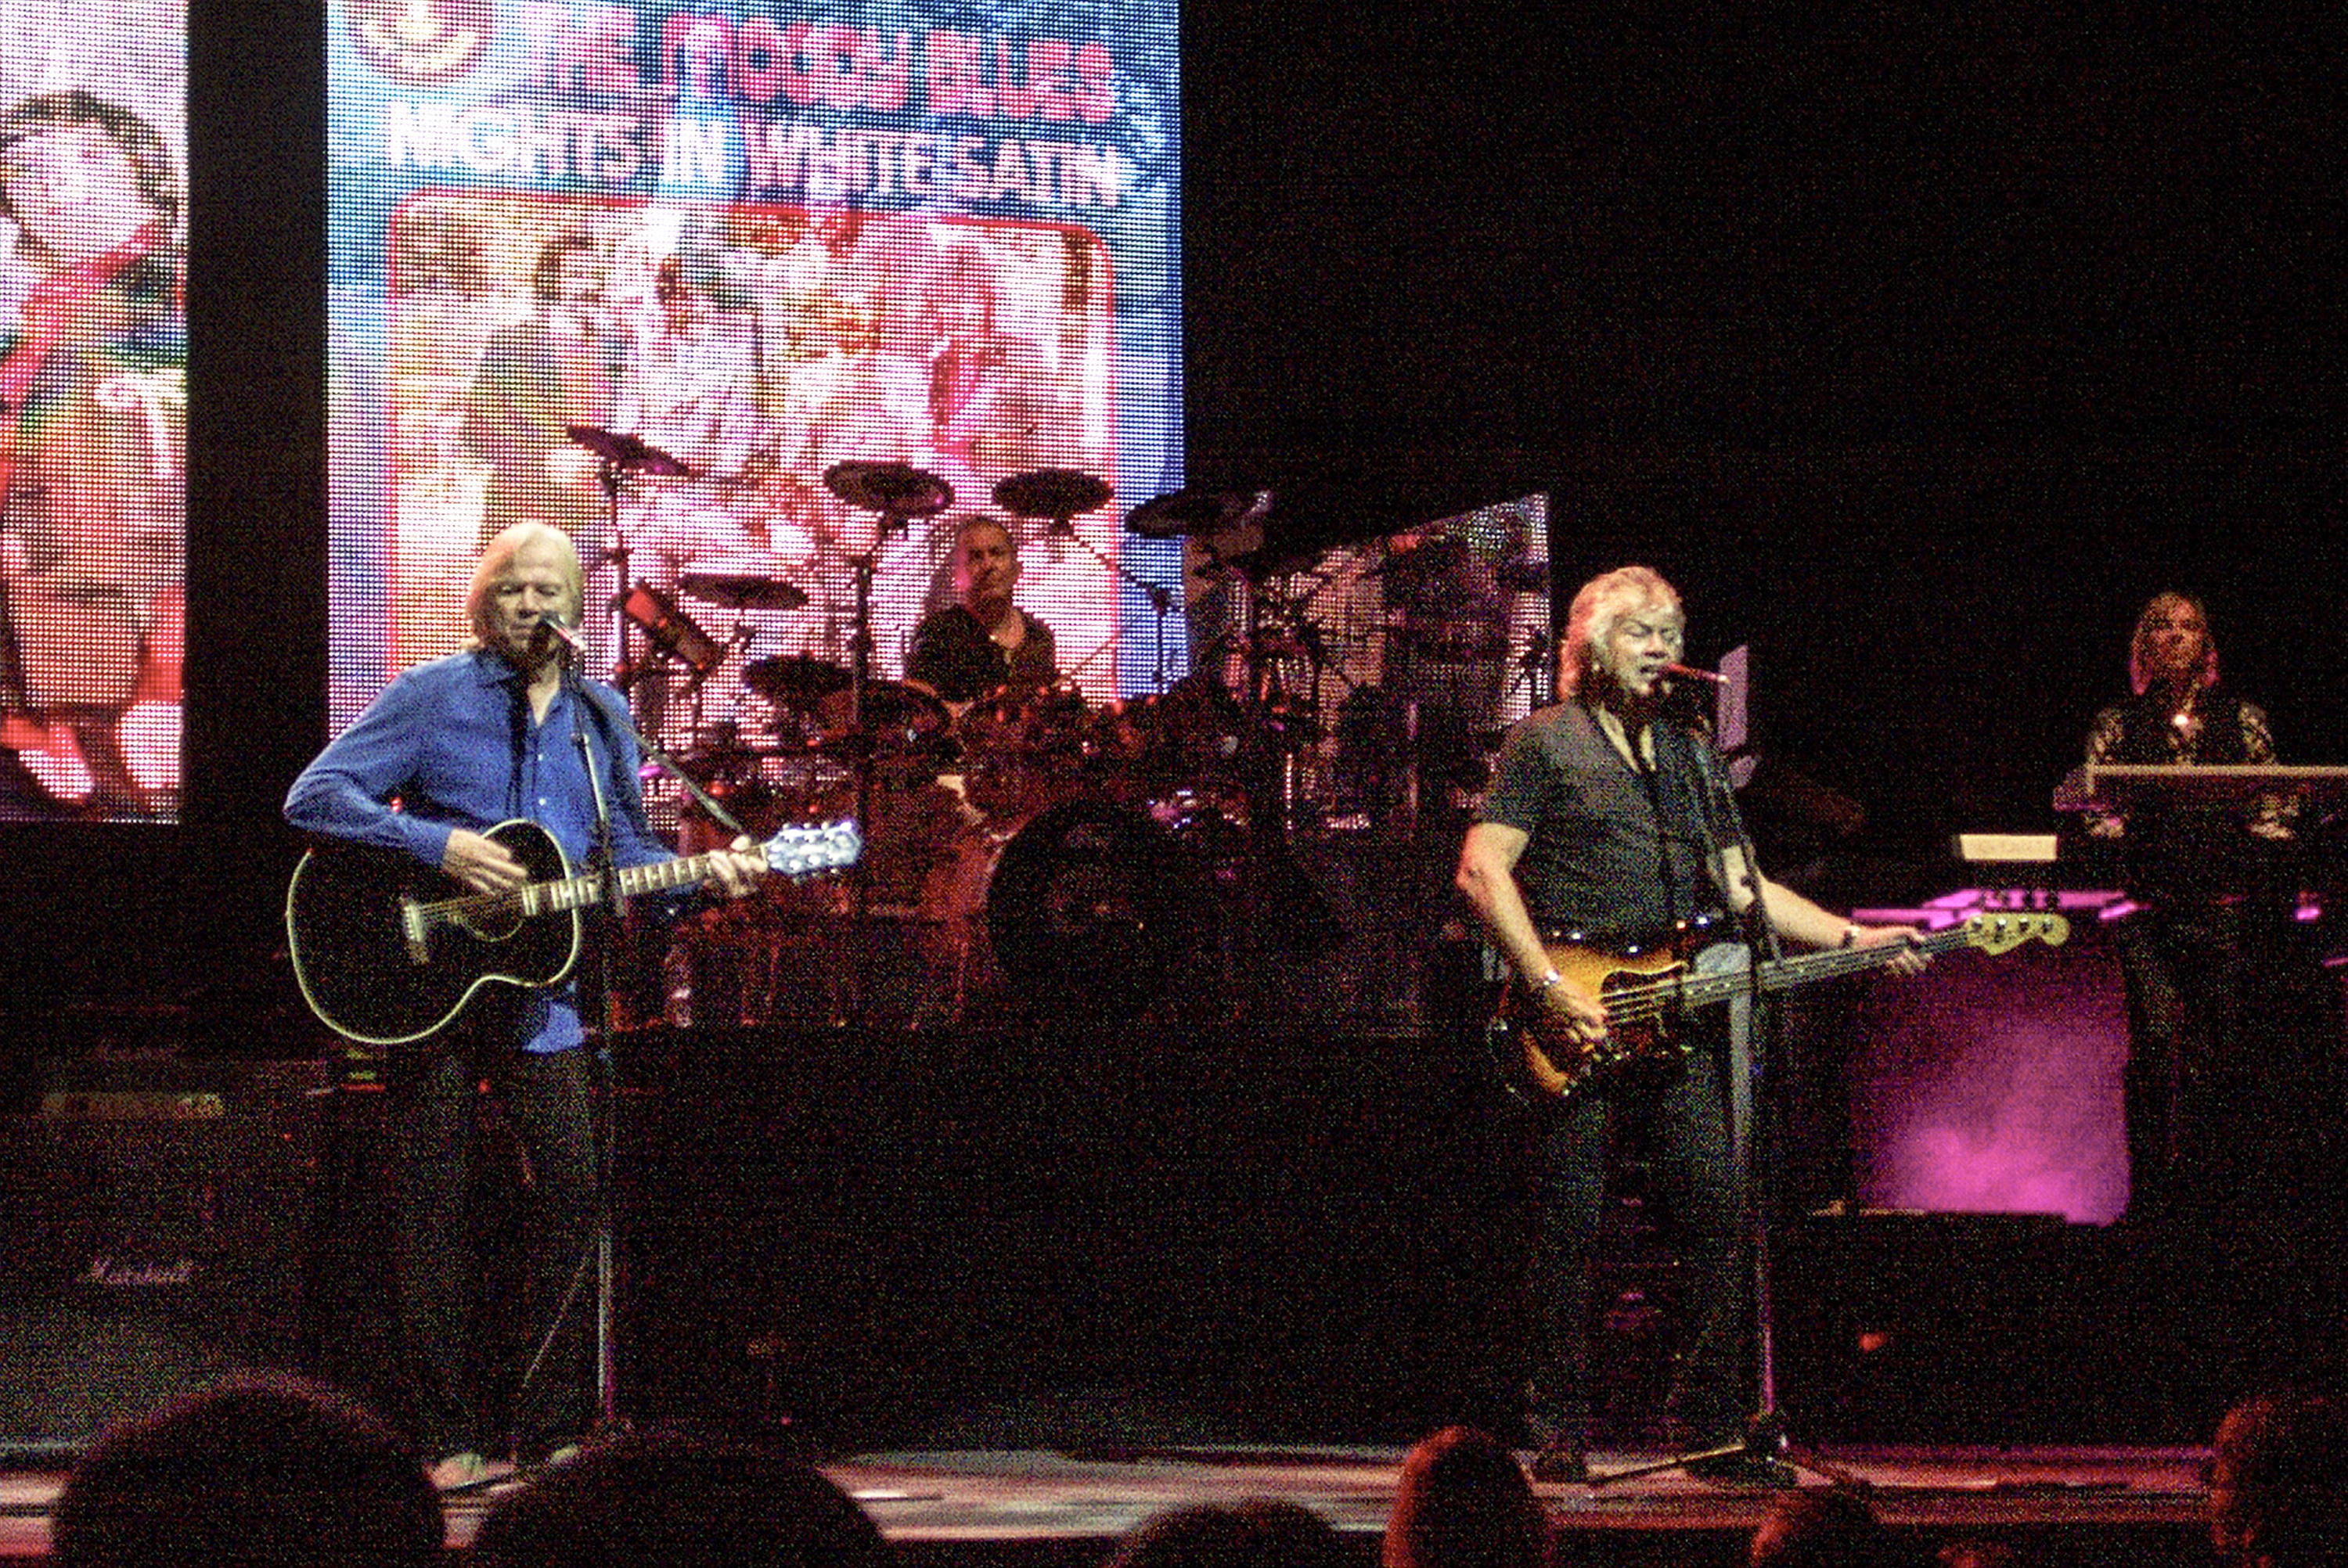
1086, 856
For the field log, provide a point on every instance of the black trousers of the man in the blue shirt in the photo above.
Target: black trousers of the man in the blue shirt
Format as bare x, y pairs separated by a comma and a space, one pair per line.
440, 1133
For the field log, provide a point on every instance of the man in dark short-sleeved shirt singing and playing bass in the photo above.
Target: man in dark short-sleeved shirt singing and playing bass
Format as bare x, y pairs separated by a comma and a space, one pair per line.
1607, 827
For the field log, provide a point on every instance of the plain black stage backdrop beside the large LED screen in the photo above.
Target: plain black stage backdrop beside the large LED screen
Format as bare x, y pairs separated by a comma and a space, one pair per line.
1917, 356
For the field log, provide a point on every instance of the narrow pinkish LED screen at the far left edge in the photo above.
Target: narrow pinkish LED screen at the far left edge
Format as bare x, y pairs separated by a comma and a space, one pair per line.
93, 410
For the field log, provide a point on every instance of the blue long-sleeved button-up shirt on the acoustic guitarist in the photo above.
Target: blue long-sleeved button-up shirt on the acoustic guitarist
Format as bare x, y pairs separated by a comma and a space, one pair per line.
457, 748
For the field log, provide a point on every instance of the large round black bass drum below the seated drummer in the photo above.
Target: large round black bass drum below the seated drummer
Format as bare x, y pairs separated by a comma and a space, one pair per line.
1095, 905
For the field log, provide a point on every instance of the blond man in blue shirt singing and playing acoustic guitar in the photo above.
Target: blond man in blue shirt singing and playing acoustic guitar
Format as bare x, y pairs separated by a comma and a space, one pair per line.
454, 748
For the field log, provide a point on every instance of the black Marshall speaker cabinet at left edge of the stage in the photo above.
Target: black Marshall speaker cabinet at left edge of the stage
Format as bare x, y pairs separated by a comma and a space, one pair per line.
151, 1241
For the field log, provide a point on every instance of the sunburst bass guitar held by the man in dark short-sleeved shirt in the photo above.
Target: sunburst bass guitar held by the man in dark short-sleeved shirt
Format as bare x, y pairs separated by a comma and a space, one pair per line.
1649, 996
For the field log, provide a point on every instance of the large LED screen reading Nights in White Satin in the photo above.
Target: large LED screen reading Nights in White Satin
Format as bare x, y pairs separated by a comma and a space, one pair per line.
654, 273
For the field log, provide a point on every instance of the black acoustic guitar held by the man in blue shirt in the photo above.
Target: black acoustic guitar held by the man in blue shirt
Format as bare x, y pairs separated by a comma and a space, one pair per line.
389, 952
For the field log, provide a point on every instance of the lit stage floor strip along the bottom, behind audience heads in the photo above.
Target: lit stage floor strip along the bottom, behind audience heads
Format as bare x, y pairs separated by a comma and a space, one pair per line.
1048, 1506
